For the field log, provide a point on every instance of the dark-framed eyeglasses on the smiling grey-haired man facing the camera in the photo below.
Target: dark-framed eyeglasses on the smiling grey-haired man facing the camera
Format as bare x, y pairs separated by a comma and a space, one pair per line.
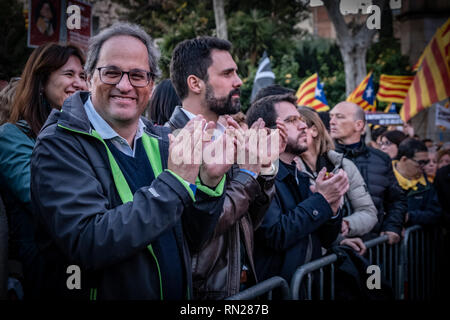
137, 77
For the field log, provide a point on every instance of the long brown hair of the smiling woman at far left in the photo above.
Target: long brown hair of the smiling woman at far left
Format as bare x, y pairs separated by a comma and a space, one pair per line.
29, 103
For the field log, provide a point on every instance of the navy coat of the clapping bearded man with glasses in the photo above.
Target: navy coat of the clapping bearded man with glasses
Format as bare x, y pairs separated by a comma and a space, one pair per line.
296, 218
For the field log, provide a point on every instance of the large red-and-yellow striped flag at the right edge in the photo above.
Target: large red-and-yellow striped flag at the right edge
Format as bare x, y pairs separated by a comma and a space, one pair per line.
432, 81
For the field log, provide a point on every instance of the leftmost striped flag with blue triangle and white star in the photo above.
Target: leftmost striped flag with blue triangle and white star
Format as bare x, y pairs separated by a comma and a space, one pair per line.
311, 94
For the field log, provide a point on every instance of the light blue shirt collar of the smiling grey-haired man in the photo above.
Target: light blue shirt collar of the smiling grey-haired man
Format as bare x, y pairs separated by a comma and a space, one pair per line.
108, 133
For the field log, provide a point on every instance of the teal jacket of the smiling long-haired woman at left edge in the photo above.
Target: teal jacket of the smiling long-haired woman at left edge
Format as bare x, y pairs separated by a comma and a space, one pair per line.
16, 146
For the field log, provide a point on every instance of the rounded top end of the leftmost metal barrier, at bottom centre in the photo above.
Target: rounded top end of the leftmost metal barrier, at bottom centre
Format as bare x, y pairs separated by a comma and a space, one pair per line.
265, 287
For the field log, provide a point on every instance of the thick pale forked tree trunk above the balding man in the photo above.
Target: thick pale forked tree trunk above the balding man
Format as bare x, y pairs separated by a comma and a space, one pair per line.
354, 39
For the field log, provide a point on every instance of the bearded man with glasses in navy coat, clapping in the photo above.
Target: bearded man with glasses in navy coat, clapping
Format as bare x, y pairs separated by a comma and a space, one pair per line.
298, 222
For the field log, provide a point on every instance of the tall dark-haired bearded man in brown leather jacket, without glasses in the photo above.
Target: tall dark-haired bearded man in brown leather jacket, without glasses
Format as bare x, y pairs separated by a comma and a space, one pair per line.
205, 77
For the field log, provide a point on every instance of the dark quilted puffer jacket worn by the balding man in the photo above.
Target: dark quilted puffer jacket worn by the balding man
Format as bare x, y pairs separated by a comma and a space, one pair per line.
389, 199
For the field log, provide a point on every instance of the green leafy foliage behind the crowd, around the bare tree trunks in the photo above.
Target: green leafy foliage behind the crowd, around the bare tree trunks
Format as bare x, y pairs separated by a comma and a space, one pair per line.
256, 26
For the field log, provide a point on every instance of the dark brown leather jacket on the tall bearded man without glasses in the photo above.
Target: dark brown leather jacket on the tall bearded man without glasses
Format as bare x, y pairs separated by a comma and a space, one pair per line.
217, 267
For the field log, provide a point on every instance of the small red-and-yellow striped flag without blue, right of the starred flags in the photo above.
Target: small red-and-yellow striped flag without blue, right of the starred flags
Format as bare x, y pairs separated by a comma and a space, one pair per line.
394, 88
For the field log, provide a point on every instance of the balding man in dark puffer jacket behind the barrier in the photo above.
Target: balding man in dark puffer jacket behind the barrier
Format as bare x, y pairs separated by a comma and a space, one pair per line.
347, 122
